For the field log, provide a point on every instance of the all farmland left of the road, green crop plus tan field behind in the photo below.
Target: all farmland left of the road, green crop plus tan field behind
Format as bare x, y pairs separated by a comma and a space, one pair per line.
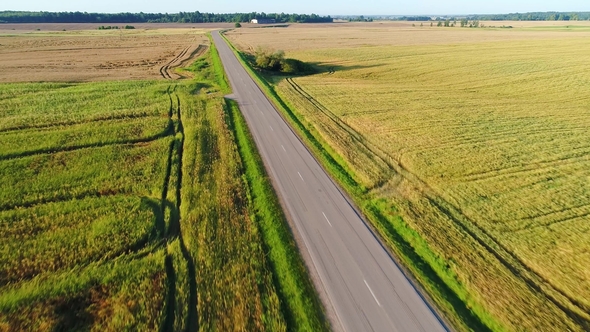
139, 204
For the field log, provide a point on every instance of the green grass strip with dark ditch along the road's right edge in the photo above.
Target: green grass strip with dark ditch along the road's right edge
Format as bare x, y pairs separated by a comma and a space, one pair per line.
429, 269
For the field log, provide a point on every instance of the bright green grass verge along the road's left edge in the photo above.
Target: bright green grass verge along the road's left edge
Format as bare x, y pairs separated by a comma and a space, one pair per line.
303, 310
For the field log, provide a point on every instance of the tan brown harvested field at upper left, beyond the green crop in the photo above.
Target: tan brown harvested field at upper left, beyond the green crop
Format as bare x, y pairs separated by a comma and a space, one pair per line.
93, 55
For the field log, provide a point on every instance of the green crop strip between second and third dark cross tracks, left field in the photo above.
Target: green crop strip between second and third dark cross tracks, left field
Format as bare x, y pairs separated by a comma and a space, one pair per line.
87, 172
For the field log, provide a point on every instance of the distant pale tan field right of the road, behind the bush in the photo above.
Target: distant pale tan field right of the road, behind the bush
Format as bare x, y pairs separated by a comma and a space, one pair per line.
323, 38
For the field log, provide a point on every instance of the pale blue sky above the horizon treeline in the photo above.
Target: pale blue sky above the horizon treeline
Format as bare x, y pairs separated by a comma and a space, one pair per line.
322, 7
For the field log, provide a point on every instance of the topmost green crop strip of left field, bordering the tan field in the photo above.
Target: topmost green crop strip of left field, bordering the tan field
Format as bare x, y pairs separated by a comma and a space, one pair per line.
26, 105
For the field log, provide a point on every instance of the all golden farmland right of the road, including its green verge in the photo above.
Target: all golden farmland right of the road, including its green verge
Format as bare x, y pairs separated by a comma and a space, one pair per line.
468, 146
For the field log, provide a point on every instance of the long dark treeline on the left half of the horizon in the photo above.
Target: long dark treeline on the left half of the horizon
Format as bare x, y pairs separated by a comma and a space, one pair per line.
182, 17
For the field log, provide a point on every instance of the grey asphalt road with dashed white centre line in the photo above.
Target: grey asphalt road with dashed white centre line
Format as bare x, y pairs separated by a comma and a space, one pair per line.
364, 288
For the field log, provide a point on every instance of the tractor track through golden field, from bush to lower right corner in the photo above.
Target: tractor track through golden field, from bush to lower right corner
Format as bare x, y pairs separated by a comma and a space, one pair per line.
573, 308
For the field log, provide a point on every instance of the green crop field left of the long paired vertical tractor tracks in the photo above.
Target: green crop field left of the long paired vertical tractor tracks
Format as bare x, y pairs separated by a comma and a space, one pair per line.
72, 224
